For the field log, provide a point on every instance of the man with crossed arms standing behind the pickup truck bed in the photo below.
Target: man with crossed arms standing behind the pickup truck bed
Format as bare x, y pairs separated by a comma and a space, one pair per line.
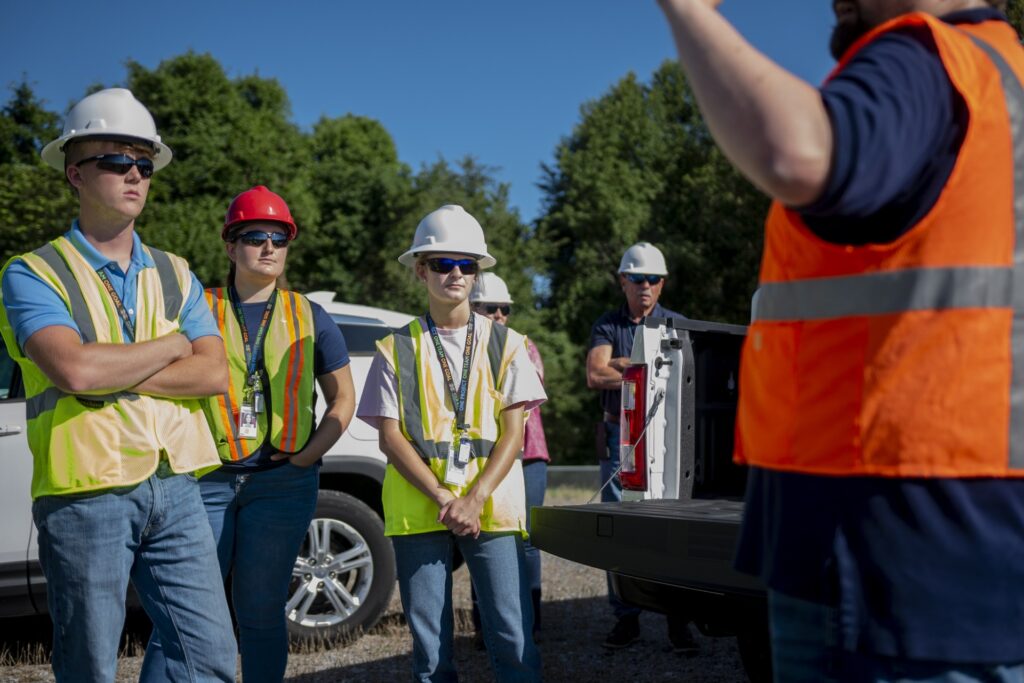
642, 275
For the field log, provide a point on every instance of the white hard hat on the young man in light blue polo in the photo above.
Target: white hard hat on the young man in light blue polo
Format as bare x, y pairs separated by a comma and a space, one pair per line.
113, 113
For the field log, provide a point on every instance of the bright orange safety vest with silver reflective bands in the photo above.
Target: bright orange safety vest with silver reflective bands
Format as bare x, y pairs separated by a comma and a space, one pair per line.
905, 359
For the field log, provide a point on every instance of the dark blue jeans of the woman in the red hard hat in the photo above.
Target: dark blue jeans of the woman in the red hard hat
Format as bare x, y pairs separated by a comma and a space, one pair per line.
259, 523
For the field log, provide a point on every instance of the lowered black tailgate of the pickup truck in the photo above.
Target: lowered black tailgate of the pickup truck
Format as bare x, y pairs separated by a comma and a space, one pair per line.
689, 544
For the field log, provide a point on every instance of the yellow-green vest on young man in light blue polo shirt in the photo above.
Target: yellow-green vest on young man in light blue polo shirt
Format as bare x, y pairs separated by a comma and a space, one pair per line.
91, 443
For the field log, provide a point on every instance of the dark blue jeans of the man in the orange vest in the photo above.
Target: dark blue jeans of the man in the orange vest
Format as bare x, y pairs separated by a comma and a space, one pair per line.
805, 647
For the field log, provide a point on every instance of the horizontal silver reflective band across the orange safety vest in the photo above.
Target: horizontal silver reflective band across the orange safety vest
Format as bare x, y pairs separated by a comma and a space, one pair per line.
884, 293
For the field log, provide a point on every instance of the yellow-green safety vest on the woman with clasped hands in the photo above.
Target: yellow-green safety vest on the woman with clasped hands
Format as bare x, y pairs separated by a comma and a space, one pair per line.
428, 420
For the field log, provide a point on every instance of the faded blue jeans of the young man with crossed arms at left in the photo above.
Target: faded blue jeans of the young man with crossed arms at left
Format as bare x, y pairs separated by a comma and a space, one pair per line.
157, 536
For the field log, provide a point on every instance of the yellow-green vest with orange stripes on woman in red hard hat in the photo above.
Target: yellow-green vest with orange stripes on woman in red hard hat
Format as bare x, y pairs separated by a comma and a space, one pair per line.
287, 364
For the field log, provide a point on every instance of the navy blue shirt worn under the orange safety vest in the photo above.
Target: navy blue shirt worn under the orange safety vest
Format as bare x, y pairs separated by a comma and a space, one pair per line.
926, 569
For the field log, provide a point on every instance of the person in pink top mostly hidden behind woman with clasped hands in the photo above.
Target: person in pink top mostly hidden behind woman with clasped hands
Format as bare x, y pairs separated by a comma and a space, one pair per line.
491, 298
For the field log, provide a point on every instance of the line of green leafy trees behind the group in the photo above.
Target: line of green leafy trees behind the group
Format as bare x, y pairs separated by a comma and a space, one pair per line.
639, 165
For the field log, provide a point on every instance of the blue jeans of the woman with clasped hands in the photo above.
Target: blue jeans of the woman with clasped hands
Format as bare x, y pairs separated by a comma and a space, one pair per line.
497, 568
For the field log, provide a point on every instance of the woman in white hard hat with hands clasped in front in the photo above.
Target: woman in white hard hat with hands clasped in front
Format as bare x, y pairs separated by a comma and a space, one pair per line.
449, 395
